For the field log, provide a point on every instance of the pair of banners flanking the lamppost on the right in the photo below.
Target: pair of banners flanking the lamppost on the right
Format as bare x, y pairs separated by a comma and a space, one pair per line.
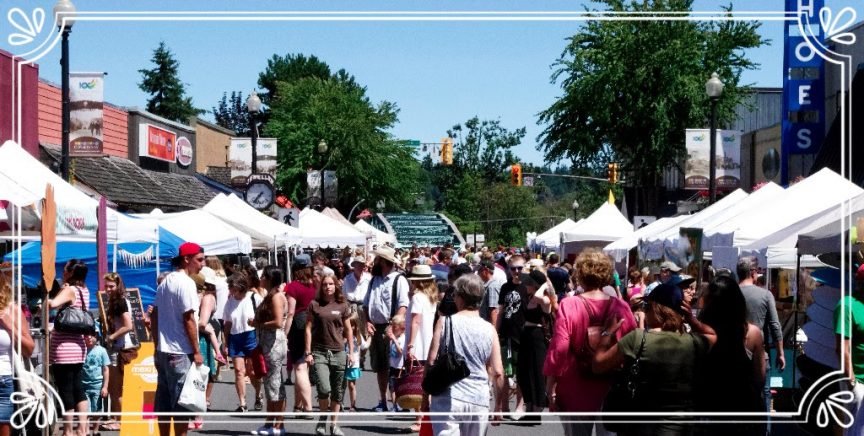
728, 160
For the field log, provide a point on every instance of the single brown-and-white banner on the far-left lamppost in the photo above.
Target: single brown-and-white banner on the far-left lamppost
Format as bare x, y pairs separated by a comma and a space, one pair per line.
85, 114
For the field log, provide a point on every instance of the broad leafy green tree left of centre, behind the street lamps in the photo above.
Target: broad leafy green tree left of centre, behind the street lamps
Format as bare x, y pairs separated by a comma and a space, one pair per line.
370, 164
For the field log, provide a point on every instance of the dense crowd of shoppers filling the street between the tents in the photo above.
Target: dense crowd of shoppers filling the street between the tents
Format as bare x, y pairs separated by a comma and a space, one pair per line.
555, 335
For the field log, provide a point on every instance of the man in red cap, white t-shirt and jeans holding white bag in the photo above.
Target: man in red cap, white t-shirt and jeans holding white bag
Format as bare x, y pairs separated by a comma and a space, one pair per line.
176, 334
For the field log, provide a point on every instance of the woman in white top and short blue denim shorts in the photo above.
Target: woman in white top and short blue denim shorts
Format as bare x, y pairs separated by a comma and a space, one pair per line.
239, 321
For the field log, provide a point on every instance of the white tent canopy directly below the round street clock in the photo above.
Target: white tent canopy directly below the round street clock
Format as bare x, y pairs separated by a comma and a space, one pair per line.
264, 231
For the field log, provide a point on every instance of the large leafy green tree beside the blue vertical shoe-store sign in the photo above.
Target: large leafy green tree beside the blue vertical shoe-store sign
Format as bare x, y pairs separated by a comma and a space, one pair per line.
631, 88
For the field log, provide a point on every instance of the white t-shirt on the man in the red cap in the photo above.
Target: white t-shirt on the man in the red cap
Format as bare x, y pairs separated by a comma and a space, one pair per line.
176, 296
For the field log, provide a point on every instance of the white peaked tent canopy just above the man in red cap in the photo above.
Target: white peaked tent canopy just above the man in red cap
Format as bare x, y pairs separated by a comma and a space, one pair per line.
211, 233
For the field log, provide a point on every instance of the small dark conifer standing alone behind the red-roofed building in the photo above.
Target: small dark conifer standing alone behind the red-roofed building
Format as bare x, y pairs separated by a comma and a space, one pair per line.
167, 93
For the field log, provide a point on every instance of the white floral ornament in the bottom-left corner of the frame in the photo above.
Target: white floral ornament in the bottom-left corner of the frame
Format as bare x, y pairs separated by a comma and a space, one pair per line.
36, 400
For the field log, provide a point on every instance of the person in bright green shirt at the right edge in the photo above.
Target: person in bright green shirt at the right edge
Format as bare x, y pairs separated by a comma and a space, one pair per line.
849, 333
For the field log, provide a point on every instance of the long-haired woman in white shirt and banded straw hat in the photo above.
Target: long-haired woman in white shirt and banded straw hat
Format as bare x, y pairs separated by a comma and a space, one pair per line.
420, 319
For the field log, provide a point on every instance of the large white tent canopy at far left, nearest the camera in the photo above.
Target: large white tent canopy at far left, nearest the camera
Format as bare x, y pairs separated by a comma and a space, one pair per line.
22, 182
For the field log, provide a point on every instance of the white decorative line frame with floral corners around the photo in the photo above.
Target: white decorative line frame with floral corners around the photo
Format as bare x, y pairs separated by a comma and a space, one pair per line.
32, 35
